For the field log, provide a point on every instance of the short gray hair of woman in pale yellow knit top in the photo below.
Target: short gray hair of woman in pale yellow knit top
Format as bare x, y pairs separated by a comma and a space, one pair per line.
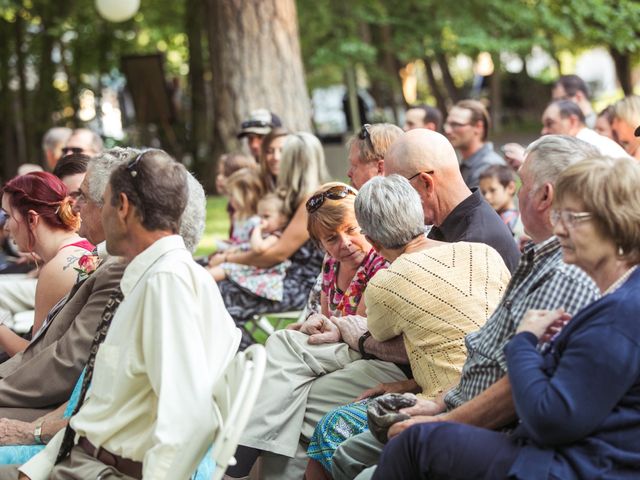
389, 211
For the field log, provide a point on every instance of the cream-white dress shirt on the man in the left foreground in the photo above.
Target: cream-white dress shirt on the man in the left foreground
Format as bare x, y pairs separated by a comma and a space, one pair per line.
151, 394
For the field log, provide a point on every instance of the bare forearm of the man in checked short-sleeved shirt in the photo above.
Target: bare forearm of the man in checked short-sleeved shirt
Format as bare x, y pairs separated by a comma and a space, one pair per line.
492, 409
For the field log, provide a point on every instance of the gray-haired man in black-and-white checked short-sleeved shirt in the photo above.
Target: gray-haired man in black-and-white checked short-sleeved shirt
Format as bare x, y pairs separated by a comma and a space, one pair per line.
542, 281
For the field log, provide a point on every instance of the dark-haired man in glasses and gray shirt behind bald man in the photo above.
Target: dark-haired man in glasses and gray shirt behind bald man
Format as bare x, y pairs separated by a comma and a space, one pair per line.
467, 128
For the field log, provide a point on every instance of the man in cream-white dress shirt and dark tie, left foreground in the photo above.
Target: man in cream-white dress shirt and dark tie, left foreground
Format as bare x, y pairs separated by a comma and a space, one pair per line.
148, 412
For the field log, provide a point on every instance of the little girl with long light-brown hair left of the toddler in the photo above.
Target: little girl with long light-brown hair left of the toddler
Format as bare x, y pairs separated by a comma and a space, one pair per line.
244, 189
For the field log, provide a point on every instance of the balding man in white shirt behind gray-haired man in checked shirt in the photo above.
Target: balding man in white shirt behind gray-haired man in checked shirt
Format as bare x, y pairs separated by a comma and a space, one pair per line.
564, 117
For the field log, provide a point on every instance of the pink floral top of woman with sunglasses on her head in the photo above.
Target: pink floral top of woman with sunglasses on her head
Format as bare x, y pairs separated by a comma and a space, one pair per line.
346, 302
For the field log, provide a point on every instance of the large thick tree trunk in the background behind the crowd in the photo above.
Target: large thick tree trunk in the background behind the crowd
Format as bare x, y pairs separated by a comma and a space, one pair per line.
256, 63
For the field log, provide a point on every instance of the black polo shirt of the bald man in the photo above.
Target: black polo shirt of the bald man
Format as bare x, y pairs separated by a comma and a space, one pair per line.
473, 220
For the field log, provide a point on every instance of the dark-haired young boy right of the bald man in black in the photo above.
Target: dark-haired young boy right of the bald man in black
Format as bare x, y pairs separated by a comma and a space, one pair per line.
498, 186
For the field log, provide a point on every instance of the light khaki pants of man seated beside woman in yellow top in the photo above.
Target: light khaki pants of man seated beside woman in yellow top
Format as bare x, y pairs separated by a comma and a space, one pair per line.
303, 382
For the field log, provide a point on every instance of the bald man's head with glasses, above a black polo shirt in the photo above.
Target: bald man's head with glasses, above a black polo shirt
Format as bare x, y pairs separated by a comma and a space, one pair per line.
430, 162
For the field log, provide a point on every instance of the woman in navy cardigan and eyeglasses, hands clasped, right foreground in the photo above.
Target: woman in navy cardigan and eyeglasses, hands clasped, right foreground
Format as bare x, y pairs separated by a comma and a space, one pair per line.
577, 401
